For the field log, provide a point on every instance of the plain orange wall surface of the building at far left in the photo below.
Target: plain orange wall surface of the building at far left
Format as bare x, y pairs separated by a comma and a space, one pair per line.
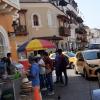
6, 23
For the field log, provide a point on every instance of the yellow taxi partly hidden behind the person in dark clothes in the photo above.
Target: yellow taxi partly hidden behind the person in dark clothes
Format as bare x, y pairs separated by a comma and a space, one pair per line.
70, 55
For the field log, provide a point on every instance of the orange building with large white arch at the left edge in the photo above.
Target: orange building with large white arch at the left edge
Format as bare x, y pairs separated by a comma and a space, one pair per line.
8, 9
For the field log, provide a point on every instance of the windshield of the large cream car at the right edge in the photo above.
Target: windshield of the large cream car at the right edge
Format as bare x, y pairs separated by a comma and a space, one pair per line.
91, 55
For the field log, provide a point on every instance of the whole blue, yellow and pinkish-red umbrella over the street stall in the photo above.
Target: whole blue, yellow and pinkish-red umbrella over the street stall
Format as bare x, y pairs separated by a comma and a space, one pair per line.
36, 44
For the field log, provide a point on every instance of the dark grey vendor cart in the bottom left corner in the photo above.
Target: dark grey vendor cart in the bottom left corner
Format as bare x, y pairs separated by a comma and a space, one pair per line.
10, 89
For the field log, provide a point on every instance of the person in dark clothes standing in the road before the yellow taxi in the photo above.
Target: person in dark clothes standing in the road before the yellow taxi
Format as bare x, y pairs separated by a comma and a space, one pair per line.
62, 63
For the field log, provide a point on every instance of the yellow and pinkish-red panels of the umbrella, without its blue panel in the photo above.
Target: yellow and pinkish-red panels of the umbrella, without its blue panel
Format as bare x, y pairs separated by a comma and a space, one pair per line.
39, 44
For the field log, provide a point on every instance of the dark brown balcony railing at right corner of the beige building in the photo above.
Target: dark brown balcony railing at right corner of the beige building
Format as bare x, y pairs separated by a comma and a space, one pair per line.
64, 31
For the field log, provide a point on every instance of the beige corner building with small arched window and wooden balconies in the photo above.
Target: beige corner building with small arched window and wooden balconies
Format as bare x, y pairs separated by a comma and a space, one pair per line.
48, 19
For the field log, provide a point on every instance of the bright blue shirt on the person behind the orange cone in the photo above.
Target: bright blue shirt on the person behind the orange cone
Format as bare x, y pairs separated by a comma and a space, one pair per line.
35, 74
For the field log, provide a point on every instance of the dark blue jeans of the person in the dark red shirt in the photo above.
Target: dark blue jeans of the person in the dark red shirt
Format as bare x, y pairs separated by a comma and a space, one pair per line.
49, 81
